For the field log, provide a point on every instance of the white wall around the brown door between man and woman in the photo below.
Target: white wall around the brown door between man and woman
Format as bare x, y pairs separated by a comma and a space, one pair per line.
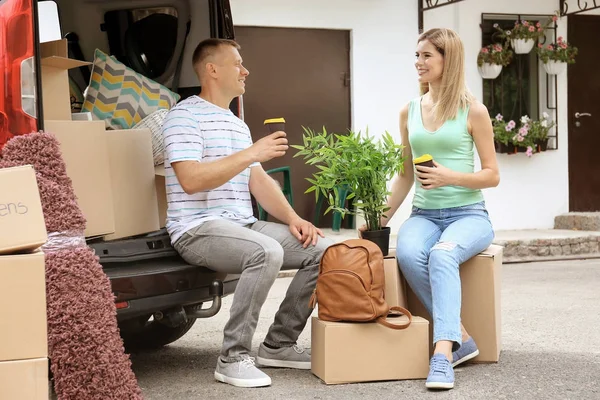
383, 39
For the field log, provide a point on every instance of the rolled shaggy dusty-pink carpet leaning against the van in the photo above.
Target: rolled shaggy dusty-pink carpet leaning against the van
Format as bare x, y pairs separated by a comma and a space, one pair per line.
86, 352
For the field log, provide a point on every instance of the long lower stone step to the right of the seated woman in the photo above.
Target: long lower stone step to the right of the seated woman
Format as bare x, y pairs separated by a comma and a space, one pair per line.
552, 244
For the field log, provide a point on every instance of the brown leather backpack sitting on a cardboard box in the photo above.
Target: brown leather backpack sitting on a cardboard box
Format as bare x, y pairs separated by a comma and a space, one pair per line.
351, 283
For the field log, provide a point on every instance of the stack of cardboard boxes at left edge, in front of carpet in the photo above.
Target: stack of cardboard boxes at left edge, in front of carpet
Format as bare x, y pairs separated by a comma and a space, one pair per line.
23, 328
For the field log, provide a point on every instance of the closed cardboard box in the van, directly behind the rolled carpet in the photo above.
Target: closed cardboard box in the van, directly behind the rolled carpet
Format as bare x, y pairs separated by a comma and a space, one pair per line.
85, 151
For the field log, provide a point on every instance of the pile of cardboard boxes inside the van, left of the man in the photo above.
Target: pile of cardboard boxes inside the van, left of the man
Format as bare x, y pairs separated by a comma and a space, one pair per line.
112, 170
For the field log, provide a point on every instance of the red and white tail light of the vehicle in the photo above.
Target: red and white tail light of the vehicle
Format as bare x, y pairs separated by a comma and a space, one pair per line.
18, 80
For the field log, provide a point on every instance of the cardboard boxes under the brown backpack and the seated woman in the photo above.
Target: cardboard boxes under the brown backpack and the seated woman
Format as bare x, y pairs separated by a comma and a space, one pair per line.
362, 352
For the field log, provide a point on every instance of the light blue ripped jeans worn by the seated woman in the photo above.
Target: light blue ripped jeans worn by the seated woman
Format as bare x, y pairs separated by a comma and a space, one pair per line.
431, 246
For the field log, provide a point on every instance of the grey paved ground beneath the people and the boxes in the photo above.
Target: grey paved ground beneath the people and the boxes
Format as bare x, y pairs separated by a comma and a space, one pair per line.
551, 330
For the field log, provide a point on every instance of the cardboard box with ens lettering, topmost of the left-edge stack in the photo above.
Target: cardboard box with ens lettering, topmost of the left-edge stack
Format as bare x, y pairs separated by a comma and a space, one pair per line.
22, 225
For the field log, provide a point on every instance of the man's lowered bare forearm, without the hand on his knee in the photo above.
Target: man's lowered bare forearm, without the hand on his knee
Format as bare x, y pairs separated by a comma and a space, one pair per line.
269, 195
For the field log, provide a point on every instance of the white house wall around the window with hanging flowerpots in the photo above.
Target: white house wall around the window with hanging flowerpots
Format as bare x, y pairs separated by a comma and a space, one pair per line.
532, 190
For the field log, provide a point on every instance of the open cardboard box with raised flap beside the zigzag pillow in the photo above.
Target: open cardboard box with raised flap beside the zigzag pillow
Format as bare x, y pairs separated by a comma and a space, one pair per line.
55, 64
